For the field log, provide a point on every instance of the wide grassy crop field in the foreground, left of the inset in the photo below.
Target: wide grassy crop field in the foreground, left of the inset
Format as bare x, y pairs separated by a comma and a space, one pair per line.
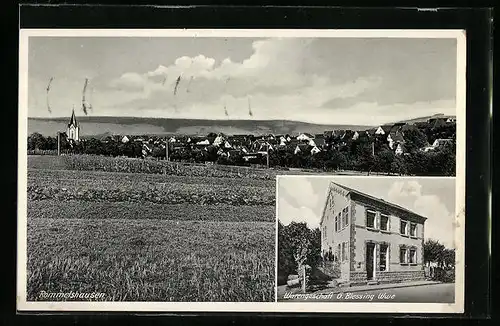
149, 237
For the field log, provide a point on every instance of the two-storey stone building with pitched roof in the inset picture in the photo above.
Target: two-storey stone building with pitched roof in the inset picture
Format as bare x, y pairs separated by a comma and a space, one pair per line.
373, 241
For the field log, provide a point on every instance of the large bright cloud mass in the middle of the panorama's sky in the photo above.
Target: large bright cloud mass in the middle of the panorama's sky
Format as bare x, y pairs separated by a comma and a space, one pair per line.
271, 77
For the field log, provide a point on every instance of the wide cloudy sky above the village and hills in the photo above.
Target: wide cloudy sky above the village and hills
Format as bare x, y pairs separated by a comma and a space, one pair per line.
320, 80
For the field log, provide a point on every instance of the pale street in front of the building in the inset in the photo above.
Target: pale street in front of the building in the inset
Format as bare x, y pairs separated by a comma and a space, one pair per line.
436, 293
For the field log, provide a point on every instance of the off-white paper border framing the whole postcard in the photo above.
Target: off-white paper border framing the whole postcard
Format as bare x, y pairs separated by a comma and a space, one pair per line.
23, 305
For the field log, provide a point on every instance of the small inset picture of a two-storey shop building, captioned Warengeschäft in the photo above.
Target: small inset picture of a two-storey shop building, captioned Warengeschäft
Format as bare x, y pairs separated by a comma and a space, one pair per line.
359, 239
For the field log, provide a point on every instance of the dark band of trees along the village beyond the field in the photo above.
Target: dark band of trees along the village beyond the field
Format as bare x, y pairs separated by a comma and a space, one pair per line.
363, 154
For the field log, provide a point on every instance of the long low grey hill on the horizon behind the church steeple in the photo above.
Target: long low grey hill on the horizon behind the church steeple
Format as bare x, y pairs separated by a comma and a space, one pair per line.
92, 126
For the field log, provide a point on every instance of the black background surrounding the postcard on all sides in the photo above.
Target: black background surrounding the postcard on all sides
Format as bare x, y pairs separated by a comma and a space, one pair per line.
478, 25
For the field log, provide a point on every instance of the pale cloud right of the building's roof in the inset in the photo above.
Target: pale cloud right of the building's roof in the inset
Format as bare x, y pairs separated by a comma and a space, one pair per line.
440, 221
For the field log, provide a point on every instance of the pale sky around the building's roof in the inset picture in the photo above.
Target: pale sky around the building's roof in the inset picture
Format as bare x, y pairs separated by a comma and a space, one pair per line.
301, 199
